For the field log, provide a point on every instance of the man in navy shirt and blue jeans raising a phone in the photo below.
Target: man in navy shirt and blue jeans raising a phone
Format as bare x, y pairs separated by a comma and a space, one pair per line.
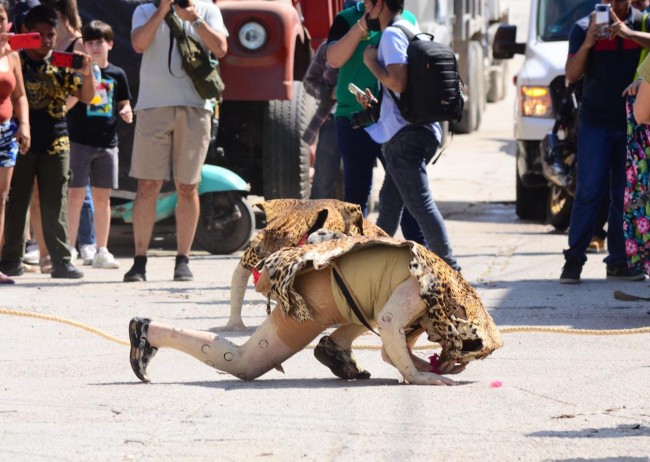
604, 51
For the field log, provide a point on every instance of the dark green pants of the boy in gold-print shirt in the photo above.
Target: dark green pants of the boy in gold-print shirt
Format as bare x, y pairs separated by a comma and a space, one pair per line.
52, 174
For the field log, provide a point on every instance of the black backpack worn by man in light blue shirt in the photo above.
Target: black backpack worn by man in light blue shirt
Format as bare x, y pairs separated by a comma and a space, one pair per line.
434, 89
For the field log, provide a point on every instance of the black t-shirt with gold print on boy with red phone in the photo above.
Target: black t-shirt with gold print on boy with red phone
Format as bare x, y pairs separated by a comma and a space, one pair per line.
48, 88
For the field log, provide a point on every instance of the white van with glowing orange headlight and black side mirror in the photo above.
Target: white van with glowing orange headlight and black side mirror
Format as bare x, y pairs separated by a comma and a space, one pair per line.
540, 84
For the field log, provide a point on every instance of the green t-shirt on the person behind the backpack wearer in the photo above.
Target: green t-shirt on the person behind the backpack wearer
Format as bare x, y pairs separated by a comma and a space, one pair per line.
354, 71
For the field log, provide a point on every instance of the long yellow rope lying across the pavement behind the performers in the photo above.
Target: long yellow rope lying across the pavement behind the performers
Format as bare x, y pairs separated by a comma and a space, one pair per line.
505, 330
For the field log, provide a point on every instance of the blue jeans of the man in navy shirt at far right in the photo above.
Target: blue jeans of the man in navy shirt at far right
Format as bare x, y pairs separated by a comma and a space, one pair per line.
601, 163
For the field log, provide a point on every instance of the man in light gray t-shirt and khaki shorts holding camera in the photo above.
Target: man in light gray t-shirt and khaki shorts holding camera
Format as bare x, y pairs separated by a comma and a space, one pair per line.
173, 123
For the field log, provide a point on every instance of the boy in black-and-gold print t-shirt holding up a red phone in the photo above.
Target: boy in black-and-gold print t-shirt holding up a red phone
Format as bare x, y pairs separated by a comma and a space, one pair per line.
48, 160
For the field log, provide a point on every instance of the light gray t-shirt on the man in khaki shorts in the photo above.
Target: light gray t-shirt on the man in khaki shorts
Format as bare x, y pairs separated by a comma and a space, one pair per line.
159, 88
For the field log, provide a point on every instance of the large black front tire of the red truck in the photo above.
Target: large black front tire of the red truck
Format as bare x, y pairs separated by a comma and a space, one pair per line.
285, 154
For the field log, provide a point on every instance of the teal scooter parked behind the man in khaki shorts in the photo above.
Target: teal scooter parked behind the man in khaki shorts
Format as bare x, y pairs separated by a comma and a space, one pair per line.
226, 221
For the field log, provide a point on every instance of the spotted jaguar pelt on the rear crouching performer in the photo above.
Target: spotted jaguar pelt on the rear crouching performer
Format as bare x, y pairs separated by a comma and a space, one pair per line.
291, 221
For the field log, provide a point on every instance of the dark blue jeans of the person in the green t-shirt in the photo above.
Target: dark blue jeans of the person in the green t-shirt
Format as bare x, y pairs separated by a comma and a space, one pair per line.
359, 153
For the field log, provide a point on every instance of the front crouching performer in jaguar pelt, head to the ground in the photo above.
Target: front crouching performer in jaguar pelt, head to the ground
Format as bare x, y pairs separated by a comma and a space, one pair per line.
398, 287
